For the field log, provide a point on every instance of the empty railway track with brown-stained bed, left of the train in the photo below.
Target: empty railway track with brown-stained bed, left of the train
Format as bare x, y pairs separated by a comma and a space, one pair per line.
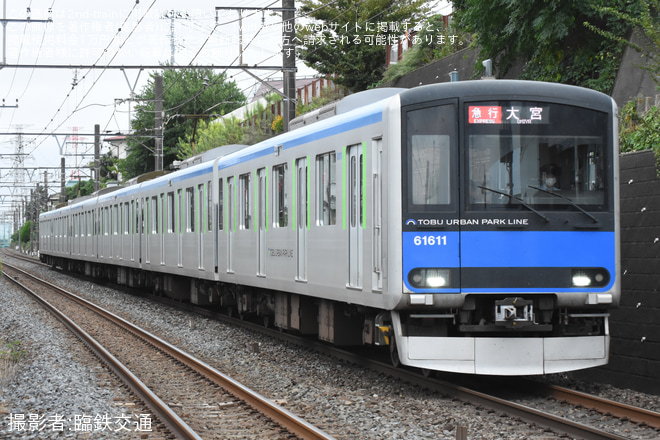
191, 398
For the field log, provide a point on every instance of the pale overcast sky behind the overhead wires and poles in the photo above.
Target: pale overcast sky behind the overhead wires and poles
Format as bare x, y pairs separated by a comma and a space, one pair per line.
54, 104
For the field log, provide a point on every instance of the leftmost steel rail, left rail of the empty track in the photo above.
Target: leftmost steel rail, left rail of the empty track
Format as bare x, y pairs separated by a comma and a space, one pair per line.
163, 412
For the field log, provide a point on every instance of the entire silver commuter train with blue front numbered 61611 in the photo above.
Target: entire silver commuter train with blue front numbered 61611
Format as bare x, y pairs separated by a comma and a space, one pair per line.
470, 227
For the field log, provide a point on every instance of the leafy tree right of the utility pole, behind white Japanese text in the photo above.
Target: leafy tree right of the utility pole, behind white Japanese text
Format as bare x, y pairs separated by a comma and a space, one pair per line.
348, 38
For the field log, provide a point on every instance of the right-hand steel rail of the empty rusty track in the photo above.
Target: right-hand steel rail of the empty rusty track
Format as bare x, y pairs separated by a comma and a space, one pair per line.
276, 413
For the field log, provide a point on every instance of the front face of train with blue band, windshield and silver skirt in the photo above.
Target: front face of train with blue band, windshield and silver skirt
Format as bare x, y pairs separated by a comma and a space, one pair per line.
508, 228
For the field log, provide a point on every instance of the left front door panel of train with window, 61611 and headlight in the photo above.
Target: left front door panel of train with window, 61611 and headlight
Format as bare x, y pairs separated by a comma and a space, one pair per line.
431, 223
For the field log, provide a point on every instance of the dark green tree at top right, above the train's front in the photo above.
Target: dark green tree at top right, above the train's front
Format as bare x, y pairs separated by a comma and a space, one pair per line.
550, 38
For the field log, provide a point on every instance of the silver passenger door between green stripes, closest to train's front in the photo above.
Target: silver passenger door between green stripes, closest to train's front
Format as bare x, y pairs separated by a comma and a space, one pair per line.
355, 214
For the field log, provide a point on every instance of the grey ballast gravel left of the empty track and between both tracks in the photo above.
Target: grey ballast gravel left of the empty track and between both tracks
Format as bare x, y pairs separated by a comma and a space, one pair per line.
344, 400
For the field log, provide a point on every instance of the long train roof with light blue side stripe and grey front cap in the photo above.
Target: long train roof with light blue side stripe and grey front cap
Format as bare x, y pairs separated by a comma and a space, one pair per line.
351, 116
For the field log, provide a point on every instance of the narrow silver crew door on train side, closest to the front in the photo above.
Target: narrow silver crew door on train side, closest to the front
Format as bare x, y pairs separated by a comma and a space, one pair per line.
377, 158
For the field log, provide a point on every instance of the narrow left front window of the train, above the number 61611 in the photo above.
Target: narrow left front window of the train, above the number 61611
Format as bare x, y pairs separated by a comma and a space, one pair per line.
430, 134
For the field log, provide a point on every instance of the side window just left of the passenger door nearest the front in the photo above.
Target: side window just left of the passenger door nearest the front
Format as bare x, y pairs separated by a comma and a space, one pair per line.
326, 180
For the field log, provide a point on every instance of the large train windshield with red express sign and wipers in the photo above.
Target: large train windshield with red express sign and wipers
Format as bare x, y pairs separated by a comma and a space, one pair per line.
541, 154
